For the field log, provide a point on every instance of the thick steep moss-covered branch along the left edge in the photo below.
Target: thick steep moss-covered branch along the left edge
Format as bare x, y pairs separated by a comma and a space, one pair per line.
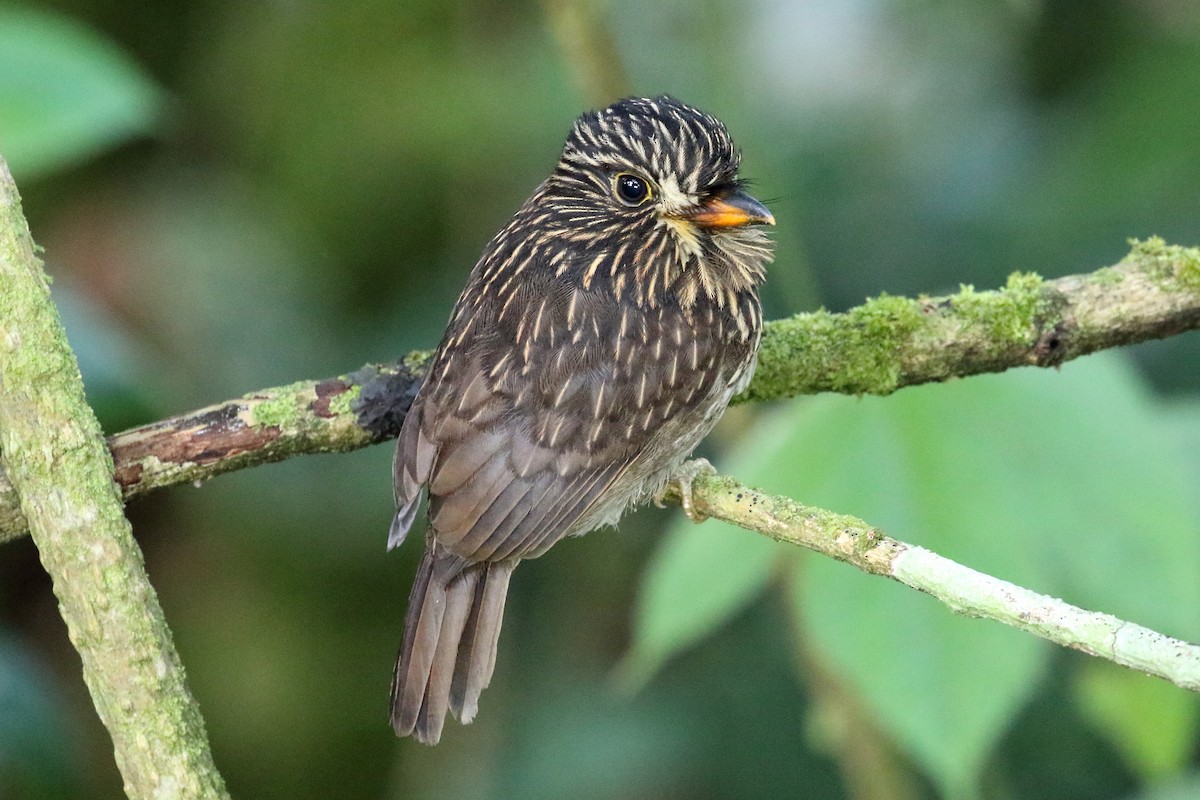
53, 452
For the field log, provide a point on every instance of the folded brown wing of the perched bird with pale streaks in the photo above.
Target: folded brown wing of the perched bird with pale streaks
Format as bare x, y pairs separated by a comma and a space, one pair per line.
523, 430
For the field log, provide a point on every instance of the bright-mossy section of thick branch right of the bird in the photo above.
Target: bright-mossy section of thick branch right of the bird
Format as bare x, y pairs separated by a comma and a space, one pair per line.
890, 344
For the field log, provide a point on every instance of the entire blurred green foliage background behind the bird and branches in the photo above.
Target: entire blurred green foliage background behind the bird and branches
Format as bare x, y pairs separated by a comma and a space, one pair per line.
235, 196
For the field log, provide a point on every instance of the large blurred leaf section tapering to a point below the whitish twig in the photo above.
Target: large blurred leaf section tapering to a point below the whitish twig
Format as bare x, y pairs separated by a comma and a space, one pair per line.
943, 687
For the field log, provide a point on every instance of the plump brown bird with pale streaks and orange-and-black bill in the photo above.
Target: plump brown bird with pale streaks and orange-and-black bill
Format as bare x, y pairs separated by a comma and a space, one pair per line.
599, 339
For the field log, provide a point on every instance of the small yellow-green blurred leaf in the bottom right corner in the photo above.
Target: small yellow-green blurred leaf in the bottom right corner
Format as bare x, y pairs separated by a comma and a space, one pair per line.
1150, 721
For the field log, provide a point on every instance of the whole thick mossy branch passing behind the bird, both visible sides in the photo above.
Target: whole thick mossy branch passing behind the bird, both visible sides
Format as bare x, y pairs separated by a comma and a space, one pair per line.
885, 345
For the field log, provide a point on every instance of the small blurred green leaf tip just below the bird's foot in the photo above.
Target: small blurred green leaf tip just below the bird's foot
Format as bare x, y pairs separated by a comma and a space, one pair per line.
700, 578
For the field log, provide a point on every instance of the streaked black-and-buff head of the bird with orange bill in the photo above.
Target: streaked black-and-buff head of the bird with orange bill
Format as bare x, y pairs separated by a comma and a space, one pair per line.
647, 200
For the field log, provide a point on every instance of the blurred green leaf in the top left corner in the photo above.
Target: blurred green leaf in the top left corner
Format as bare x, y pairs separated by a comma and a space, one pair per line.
65, 93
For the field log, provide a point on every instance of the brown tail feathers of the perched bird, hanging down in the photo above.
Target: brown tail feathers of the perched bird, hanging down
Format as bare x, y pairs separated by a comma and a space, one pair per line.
449, 648
